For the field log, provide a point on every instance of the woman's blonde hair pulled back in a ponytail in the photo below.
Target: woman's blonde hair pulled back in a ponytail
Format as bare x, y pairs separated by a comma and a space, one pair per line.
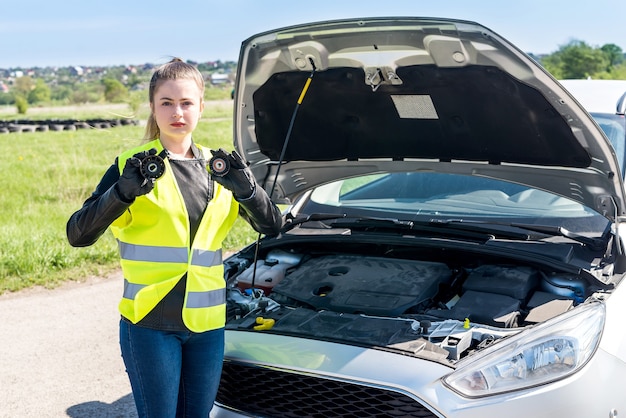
175, 69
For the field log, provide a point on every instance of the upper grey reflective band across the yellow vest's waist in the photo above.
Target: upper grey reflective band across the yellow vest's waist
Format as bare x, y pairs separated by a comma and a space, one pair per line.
154, 254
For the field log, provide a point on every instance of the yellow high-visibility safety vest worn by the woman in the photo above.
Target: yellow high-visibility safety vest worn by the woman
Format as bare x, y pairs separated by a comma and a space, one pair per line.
155, 252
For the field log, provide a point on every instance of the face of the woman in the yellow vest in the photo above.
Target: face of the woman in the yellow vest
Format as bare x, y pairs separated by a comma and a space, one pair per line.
177, 106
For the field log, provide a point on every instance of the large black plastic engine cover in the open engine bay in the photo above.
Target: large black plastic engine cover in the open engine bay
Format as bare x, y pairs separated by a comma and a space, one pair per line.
367, 285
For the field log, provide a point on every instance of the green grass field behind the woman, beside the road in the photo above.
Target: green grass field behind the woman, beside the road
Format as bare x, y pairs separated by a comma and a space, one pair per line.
48, 175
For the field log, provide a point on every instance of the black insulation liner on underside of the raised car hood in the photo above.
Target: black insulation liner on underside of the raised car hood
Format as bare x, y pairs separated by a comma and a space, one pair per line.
458, 116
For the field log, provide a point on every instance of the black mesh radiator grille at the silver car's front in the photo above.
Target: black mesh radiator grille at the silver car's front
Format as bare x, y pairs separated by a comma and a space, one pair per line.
264, 392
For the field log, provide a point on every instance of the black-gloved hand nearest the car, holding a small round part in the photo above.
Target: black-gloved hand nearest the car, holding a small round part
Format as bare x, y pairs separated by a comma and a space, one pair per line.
232, 172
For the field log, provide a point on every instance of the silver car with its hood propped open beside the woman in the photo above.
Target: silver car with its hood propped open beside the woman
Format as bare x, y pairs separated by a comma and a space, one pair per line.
452, 243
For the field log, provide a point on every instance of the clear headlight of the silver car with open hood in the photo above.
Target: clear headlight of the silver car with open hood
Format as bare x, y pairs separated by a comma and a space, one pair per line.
544, 353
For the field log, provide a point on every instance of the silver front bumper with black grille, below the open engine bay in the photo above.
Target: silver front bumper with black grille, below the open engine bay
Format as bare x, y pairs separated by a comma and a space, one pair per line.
277, 376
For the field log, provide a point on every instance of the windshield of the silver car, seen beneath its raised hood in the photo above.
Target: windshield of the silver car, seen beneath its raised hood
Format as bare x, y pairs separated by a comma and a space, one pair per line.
415, 195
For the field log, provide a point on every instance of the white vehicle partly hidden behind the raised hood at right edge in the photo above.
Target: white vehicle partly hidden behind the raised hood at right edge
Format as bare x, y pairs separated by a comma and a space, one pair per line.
606, 101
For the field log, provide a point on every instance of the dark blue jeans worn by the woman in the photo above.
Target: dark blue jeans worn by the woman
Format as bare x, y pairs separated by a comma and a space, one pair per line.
172, 373
